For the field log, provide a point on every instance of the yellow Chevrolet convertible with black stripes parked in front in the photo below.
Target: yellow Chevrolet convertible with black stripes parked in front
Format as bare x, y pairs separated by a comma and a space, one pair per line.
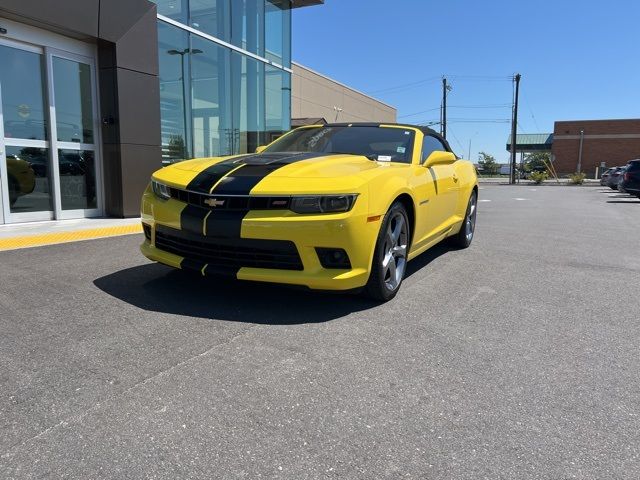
329, 207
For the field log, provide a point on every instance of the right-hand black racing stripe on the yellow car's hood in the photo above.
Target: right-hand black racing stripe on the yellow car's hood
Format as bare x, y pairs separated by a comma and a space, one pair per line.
256, 168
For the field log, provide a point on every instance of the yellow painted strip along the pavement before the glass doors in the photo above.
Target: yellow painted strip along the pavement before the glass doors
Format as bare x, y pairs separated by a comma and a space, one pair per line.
37, 240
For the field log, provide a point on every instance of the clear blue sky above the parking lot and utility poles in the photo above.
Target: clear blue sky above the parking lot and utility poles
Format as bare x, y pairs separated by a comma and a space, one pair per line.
578, 60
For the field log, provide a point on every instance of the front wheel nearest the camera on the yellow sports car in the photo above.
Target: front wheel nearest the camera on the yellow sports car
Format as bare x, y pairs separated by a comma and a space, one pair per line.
383, 285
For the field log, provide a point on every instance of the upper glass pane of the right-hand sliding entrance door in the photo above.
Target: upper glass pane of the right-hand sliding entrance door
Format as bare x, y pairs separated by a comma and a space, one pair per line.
74, 101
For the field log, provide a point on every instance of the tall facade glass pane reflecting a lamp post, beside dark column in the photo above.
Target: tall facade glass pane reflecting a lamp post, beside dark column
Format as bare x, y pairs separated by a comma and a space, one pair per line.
173, 46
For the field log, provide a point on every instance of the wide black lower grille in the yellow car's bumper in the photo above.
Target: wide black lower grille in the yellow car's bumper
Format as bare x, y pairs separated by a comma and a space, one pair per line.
229, 253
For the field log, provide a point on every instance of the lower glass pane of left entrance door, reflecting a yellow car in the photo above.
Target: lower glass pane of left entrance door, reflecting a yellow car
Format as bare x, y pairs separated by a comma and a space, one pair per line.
28, 179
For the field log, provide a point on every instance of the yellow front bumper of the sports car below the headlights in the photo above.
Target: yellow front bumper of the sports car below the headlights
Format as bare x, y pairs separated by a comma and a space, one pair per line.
349, 231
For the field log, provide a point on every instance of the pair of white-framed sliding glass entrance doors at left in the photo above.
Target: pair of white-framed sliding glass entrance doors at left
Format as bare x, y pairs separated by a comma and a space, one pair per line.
48, 135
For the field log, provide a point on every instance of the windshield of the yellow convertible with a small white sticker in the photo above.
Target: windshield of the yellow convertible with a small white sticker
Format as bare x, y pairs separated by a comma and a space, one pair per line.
383, 144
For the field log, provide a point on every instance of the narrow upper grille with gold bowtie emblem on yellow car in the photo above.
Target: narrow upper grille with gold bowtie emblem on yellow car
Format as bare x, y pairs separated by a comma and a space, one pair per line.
226, 202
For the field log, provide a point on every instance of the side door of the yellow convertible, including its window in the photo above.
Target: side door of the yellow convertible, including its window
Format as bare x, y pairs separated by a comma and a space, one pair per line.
437, 192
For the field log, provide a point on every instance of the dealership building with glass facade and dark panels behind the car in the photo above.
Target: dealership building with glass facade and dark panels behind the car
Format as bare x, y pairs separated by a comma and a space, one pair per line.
97, 94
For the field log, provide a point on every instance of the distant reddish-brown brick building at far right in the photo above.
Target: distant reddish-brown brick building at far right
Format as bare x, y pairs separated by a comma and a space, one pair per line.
614, 142
